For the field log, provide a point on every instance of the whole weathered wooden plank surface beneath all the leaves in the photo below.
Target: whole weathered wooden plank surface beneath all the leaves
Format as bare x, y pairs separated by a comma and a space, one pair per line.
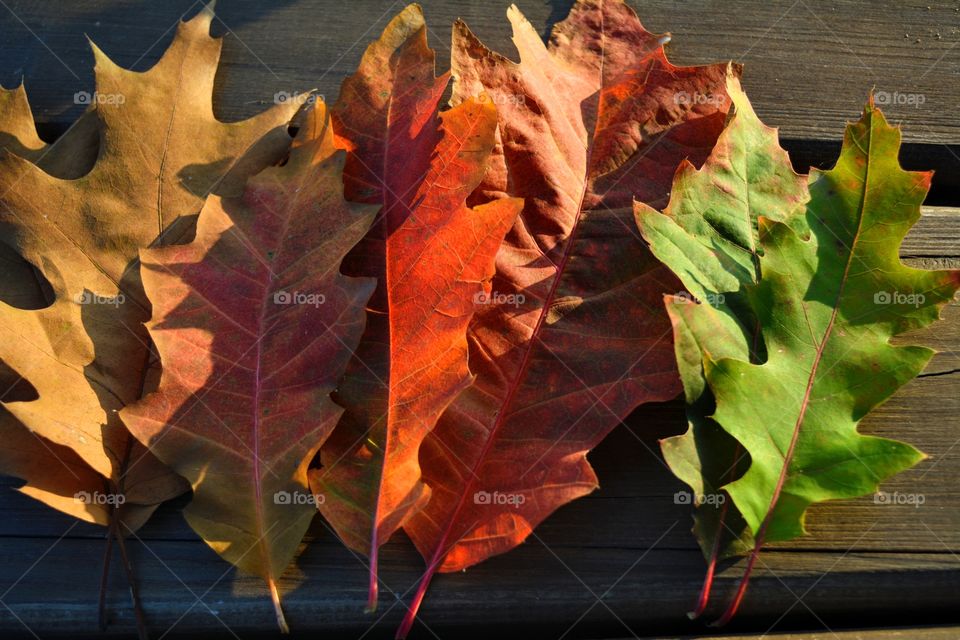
620, 562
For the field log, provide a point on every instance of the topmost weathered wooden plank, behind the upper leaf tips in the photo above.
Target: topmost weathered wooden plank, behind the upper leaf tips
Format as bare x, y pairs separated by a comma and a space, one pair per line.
809, 65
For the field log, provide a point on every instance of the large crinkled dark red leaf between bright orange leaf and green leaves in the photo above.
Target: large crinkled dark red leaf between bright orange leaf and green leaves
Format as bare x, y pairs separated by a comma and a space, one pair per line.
575, 335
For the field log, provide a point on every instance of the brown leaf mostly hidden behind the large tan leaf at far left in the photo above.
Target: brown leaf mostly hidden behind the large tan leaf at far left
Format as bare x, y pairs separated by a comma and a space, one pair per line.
55, 474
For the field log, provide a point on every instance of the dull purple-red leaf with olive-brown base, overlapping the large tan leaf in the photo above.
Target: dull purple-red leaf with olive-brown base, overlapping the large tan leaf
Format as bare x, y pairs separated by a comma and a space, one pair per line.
254, 325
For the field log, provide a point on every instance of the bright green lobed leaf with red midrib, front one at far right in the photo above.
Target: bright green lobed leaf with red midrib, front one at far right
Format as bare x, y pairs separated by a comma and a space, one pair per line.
828, 304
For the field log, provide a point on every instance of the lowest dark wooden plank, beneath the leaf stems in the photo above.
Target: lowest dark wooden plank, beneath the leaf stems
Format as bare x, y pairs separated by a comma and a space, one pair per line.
538, 591
